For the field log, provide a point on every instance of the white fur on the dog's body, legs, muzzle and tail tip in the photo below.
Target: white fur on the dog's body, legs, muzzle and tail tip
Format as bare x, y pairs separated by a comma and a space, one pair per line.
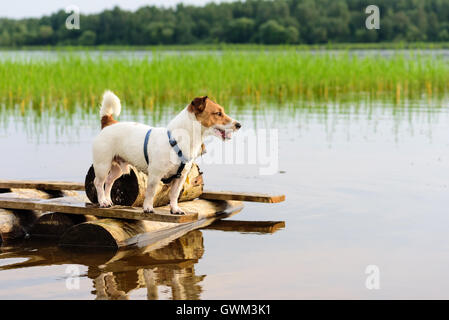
122, 143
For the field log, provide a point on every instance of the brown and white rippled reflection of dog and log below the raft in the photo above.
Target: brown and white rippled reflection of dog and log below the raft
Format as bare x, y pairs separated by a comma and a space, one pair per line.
168, 274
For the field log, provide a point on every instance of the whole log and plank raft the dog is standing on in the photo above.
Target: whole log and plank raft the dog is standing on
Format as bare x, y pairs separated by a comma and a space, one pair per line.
61, 210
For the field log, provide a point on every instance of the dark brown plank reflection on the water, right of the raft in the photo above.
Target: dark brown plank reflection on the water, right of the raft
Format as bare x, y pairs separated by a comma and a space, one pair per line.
247, 226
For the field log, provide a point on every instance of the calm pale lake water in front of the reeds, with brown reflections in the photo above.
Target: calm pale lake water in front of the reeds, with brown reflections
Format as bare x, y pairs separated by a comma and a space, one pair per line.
365, 185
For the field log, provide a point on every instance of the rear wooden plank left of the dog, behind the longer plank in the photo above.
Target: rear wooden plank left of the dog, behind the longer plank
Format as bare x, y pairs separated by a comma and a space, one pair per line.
41, 185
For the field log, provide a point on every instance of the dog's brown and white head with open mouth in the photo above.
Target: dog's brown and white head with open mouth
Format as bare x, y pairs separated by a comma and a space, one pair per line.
213, 118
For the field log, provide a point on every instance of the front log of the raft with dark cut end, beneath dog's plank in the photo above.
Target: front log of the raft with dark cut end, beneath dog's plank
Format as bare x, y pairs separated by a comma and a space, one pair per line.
117, 233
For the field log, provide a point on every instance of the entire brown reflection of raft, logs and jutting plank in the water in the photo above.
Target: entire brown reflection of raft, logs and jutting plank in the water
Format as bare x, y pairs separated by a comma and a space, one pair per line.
165, 272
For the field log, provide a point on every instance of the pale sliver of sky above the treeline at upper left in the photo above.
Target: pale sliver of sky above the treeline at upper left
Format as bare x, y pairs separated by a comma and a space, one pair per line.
36, 8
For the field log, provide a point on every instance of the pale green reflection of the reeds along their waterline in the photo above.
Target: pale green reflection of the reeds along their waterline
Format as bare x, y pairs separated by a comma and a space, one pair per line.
78, 124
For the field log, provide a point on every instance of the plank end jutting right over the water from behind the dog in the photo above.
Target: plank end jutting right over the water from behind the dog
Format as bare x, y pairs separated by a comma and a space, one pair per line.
242, 196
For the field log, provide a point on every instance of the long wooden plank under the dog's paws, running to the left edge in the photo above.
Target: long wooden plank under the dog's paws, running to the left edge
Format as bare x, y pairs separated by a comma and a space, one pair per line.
160, 214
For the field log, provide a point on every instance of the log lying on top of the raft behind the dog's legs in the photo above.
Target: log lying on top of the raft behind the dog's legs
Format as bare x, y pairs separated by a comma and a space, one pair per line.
129, 189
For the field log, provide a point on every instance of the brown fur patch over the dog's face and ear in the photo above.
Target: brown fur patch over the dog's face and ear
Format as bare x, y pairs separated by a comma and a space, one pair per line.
208, 112
